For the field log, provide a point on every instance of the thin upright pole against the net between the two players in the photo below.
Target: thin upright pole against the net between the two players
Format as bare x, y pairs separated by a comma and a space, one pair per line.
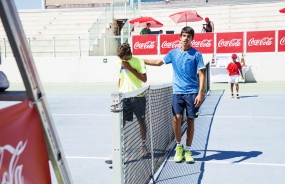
151, 135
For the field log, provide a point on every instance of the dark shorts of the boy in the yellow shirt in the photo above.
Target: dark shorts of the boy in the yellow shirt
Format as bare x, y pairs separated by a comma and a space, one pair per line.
134, 105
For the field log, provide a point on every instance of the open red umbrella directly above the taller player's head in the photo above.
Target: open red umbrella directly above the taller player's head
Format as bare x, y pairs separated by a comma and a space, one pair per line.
186, 16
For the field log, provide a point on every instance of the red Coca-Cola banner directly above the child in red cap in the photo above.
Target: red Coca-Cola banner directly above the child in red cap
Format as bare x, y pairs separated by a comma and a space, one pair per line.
230, 42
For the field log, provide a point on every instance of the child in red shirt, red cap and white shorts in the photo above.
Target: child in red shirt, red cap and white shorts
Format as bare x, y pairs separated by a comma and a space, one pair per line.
235, 70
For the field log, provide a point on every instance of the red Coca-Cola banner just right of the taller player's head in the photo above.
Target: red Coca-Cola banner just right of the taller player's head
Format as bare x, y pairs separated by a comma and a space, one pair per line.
204, 42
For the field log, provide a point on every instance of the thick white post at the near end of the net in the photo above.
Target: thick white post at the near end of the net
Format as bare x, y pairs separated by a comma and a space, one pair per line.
117, 155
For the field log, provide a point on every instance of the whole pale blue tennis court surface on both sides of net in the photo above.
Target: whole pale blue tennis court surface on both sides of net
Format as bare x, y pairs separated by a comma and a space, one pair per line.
236, 141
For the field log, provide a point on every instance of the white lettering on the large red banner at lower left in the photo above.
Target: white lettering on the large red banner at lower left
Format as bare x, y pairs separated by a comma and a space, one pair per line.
13, 173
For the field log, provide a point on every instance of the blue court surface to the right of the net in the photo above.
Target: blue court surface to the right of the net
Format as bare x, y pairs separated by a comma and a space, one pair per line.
241, 141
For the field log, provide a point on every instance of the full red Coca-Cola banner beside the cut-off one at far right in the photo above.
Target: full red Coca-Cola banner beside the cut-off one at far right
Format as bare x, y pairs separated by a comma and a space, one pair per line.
260, 41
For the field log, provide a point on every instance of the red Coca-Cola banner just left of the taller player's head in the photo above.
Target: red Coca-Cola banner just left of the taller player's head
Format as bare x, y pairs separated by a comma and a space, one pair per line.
169, 42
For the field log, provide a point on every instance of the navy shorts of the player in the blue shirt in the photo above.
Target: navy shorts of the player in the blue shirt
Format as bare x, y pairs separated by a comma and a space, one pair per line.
185, 101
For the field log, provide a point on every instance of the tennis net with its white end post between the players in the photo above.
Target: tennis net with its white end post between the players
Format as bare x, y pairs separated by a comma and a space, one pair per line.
142, 132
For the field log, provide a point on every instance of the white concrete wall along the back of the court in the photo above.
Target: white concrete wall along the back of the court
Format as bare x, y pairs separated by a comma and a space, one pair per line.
265, 67
